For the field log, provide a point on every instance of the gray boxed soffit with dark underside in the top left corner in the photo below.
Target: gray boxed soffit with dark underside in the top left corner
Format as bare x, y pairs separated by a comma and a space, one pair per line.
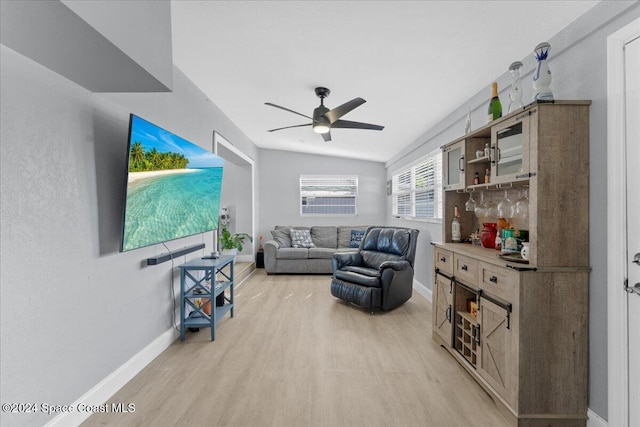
50, 33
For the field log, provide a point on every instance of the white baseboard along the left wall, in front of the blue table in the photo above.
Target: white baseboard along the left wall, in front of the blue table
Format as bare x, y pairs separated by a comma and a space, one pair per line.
106, 388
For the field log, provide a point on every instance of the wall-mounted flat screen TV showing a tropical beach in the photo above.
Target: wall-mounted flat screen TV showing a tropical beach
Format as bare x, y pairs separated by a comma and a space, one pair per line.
173, 187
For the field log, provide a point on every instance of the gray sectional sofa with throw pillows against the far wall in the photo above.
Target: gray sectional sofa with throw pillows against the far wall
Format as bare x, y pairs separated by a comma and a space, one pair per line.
281, 255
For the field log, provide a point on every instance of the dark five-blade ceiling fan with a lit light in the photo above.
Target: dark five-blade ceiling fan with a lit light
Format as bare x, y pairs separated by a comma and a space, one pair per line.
324, 119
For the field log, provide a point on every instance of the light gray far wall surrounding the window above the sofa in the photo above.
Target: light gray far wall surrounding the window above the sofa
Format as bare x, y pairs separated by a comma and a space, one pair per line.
279, 189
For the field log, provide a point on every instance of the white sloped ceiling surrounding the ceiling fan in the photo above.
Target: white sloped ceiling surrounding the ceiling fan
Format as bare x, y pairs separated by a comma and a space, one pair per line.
414, 62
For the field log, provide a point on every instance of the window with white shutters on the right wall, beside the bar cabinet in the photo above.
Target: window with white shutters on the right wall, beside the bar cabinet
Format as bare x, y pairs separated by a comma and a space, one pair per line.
417, 190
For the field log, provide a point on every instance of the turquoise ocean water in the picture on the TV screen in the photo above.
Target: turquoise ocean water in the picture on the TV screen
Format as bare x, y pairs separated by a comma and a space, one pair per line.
171, 206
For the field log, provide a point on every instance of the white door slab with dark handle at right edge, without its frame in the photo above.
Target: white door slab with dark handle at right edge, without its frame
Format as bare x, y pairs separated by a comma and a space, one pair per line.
632, 101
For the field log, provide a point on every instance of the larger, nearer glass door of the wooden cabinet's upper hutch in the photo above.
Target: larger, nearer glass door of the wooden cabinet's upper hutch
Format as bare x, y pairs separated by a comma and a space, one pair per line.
510, 150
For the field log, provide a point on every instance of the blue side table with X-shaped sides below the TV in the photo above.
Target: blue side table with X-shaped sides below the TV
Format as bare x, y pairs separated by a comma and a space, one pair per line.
193, 290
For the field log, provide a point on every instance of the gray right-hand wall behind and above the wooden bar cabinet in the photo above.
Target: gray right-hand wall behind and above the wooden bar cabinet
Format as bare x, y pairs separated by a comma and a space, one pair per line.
578, 63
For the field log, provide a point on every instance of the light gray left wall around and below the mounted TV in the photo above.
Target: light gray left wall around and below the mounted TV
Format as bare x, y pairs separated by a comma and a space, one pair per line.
74, 309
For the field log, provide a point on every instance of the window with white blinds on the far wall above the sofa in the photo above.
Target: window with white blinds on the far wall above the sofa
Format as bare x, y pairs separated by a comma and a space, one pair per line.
328, 195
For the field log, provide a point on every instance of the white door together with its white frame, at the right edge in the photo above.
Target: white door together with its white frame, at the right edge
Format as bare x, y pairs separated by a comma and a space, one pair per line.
623, 230
